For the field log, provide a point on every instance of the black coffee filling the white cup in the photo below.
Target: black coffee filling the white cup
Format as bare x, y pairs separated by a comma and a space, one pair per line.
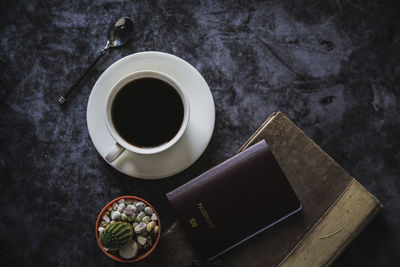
147, 112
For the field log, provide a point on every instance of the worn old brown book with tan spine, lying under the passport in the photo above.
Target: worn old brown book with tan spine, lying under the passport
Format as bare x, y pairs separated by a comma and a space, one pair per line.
335, 209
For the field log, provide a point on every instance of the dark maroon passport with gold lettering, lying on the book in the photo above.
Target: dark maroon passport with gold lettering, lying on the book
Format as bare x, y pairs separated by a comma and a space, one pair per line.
234, 201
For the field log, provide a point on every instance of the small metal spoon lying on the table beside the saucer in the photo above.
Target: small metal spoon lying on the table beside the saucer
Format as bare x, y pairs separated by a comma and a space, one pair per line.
118, 35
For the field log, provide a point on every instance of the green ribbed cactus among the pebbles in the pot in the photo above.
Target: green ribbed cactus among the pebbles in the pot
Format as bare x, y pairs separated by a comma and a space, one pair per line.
116, 235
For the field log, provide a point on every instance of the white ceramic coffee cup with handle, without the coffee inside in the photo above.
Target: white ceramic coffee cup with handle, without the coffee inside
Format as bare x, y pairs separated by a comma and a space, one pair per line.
120, 143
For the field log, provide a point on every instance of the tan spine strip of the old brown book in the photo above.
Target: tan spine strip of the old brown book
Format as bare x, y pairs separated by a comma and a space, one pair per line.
336, 229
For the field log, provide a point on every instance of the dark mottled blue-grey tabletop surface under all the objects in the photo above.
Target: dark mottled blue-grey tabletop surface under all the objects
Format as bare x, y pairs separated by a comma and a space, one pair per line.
331, 66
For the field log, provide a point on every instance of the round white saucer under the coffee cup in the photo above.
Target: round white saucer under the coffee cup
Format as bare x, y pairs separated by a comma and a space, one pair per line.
199, 129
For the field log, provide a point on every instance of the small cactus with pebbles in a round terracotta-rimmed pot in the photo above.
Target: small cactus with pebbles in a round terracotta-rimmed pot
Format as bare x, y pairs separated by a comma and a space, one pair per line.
128, 229
